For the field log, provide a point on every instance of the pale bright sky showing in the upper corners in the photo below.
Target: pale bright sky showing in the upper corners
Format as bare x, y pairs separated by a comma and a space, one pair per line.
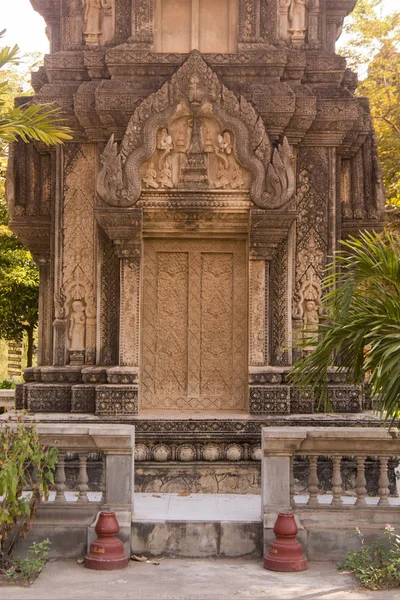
25, 27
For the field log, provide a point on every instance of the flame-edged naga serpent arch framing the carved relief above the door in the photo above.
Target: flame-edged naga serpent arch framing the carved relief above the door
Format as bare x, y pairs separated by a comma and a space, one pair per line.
195, 91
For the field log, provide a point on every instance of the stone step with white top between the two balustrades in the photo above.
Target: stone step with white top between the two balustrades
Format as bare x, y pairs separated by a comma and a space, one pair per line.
197, 526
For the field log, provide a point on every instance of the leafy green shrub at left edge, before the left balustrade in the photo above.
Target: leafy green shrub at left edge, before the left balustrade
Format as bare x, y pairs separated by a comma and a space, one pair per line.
25, 464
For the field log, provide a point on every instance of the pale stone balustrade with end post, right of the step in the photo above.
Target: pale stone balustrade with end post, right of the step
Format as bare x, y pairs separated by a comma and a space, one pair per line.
281, 445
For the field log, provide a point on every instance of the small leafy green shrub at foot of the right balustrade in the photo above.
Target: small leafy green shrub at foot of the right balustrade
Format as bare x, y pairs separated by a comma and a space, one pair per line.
377, 565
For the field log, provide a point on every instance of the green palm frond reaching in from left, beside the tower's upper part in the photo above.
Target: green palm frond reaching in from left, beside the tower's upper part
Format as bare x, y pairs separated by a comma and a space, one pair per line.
33, 122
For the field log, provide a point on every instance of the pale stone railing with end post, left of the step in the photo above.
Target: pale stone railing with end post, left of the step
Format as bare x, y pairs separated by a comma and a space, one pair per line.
94, 473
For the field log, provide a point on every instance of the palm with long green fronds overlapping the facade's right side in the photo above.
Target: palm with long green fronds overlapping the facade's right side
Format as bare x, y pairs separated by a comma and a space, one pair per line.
361, 332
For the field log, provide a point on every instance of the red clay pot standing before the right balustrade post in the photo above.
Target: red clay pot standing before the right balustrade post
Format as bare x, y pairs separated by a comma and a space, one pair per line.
285, 552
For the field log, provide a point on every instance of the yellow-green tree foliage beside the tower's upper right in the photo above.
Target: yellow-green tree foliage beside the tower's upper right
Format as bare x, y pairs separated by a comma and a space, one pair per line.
373, 50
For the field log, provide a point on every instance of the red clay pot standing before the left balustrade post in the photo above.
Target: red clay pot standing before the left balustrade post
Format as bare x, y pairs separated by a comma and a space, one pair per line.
107, 551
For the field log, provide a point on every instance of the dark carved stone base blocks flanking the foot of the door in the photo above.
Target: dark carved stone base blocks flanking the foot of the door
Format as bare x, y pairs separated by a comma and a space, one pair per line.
115, 392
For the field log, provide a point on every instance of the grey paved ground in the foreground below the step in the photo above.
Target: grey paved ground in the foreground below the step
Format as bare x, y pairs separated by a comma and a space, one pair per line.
183, 579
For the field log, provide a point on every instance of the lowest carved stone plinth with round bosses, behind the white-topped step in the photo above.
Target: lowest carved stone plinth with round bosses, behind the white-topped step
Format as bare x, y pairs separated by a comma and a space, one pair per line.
195, 453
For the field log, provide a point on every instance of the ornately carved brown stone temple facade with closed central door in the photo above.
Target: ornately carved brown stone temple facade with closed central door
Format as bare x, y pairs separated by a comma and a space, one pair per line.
183, 234
